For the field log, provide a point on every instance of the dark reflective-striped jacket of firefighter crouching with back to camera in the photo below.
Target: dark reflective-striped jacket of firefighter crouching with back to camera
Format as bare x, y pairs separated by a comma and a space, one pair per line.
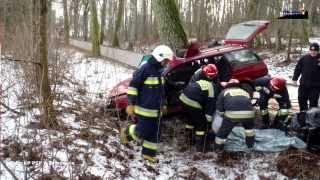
234, 103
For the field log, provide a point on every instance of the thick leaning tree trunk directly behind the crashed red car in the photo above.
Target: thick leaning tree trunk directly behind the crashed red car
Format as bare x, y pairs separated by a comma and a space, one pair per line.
170, 27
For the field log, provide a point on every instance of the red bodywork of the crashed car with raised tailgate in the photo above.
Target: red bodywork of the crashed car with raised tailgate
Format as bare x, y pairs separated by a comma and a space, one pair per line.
245, 72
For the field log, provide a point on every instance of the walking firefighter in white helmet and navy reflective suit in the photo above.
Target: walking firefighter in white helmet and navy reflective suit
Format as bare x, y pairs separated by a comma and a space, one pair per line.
146, 98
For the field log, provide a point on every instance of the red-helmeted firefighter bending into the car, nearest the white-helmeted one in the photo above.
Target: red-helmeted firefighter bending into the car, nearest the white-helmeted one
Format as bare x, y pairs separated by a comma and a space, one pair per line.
198, 101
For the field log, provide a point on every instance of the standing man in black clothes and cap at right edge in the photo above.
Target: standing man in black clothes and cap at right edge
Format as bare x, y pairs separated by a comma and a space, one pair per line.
308, 68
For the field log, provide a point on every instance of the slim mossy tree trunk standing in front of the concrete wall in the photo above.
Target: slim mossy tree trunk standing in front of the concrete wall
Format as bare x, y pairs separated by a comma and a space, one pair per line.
94, 30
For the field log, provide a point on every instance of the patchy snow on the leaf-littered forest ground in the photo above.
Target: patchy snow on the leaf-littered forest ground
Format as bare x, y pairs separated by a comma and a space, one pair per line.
89, 146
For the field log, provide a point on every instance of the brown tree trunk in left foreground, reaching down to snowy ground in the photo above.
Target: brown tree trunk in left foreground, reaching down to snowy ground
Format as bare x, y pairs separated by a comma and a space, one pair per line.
49, 120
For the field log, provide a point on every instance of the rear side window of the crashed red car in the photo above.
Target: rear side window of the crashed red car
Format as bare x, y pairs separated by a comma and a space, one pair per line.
241, 57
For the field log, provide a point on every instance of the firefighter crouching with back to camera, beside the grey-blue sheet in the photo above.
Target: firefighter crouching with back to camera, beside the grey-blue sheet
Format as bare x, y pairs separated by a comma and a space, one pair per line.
234, 106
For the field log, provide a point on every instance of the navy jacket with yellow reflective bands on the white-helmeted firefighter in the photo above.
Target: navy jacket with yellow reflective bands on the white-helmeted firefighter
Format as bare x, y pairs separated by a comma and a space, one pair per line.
146, 89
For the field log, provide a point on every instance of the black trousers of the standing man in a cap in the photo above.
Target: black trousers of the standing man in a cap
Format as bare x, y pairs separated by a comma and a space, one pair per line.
306, 94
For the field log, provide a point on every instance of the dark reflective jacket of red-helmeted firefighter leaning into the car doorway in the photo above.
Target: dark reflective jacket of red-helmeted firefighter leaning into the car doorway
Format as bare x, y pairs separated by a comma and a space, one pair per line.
200, 95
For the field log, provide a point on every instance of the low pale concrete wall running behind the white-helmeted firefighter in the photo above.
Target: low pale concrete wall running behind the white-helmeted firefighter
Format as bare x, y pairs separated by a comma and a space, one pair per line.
126, 57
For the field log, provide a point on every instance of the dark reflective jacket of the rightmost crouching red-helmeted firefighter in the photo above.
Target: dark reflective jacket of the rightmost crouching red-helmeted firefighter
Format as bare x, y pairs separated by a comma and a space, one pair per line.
262, 86
